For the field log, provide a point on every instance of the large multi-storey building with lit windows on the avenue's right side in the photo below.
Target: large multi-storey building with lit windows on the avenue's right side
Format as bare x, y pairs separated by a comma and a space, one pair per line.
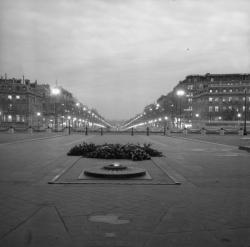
215, 97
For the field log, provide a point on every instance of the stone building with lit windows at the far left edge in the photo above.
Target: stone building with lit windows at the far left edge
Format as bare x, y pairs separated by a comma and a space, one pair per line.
20, 102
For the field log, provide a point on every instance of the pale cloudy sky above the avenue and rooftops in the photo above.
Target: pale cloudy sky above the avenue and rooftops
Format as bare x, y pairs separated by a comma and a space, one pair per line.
119, 56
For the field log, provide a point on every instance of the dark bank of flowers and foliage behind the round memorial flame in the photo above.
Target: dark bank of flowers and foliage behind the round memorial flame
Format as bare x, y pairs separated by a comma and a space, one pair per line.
115, 151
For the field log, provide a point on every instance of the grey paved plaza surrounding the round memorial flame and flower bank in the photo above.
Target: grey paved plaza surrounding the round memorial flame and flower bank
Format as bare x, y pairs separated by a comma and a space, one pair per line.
199, 196
